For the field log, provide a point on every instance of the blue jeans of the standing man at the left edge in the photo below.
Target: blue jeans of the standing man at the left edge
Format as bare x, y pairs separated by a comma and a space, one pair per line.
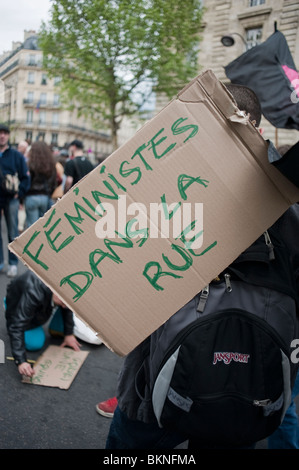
10, 212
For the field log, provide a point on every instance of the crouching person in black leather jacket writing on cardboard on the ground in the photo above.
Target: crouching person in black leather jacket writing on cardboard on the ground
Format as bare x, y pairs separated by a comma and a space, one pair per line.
29, 304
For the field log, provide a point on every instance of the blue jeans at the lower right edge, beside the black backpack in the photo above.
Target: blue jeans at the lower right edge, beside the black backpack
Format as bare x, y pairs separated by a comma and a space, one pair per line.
287, 435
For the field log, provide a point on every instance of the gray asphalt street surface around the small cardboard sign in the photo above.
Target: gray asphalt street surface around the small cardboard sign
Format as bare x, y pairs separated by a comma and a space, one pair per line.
37, 417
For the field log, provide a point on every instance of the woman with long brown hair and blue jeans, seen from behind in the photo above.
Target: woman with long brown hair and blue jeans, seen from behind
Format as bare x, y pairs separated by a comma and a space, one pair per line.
41, 164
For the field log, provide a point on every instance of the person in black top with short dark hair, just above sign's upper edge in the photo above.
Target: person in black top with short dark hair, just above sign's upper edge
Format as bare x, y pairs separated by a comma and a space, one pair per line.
77, 166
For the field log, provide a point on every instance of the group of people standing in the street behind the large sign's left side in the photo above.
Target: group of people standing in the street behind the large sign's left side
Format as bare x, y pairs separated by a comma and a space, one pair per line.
41, 176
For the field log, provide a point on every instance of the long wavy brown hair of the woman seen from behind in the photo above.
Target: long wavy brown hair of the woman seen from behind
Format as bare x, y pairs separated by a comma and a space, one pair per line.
41, 159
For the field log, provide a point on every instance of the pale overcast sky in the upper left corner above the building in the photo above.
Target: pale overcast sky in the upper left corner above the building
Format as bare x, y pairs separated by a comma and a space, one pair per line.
19, 15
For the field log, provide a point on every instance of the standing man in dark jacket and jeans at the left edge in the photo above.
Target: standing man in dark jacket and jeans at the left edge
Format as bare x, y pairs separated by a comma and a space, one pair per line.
12, 162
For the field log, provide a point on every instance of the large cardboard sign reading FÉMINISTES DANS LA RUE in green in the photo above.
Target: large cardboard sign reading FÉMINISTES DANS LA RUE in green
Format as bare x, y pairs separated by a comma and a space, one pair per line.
146, 230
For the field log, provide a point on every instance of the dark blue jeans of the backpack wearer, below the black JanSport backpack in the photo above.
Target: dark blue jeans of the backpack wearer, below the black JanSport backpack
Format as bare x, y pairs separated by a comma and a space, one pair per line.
128, 434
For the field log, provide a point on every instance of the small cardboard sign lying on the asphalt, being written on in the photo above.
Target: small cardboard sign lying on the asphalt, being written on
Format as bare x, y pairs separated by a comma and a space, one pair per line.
57, 367
